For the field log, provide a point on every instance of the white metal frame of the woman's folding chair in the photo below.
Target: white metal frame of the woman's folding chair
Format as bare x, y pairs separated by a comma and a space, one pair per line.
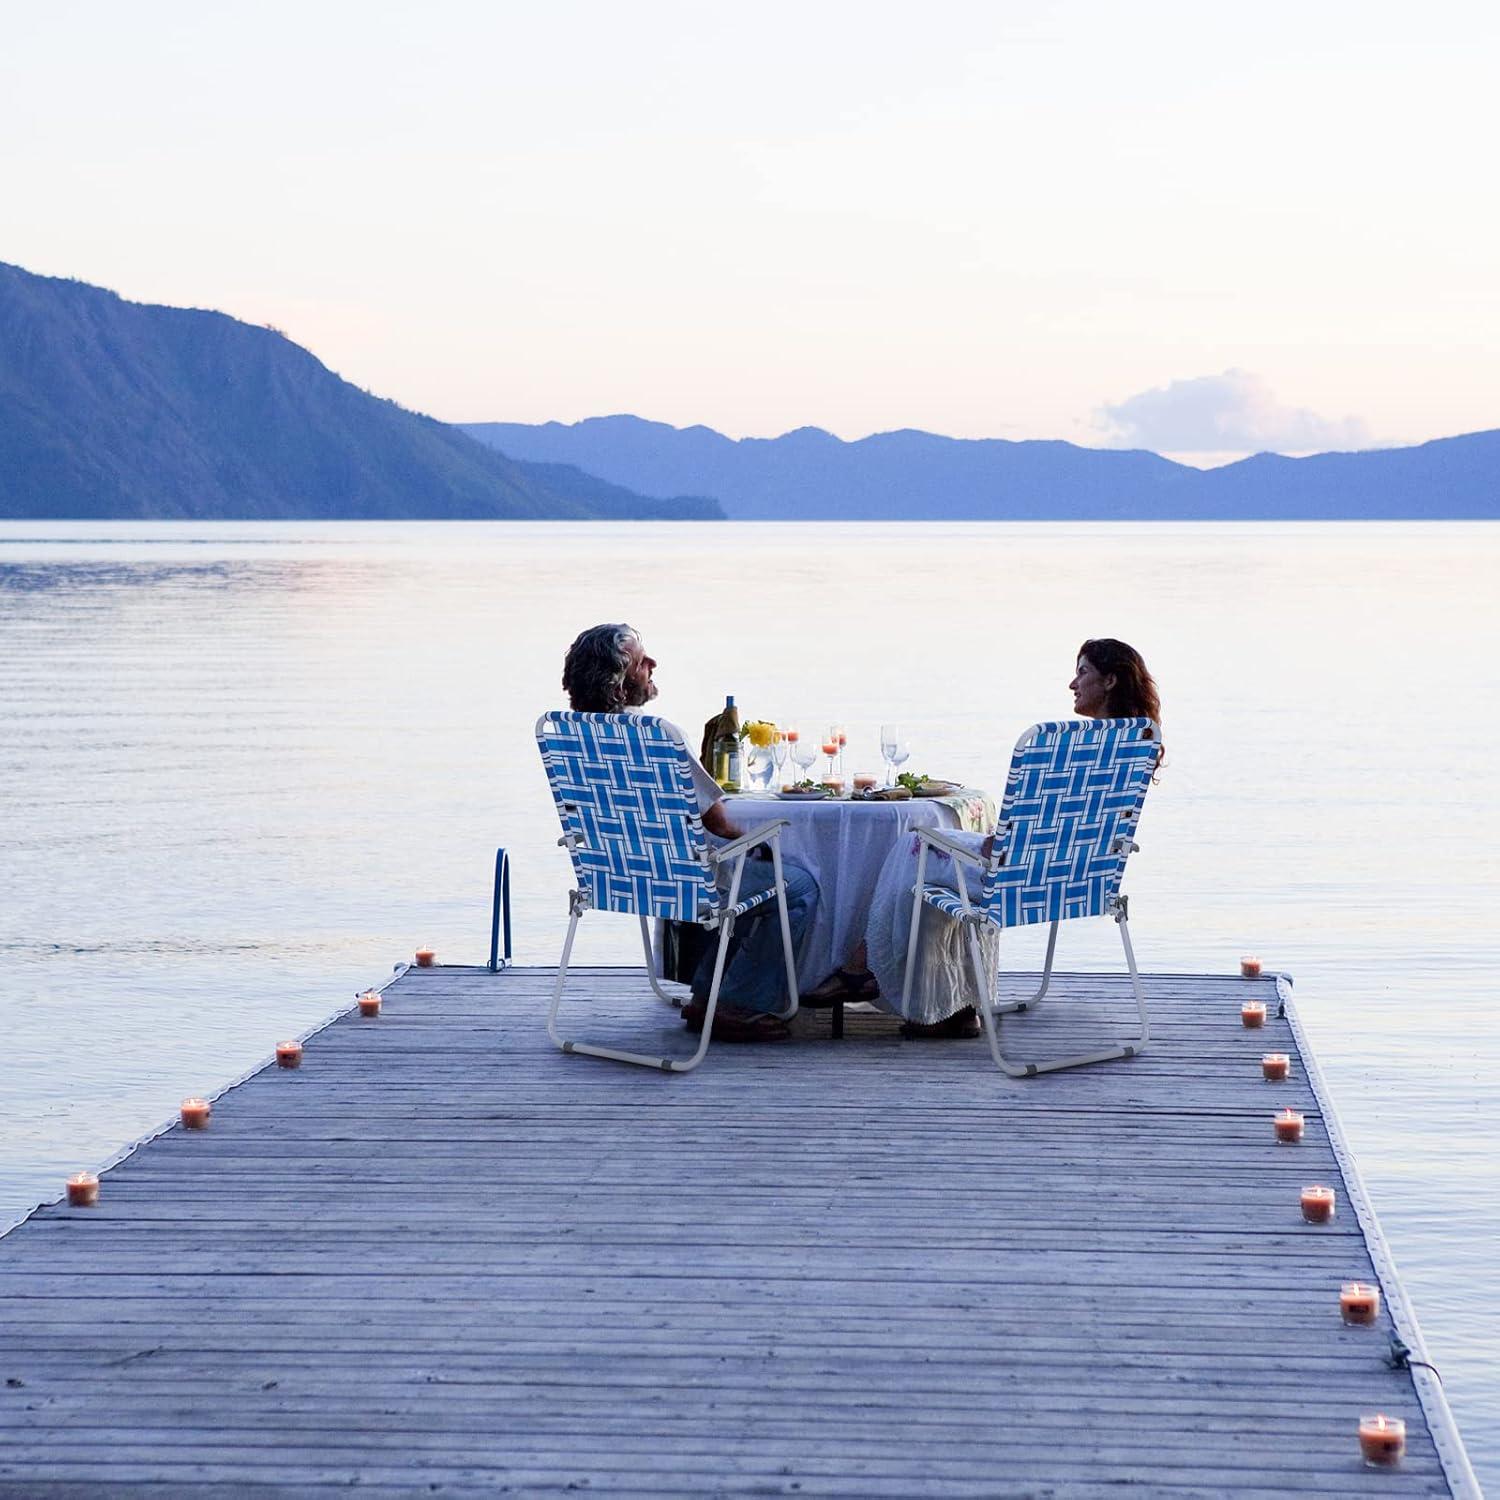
1112, 904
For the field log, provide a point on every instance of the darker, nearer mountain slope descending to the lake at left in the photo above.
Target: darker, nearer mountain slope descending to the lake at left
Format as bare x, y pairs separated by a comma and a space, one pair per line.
116, 410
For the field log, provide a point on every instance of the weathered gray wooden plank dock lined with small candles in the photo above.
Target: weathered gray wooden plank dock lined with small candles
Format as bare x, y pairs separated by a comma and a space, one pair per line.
446, 1259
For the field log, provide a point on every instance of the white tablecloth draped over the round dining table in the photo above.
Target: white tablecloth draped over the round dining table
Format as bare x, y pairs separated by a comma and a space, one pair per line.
844, 845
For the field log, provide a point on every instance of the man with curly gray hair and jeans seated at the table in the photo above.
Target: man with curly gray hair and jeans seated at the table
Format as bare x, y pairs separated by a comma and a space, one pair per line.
607, 671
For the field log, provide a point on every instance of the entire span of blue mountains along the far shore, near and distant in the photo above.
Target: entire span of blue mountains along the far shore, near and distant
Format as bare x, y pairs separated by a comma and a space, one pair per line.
112, 409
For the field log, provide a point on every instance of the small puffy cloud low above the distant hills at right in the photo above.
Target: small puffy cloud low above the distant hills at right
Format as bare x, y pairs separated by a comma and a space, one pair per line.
1231, 413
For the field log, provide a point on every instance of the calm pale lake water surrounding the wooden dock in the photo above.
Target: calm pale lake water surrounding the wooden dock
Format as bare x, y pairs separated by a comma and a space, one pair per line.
245, 769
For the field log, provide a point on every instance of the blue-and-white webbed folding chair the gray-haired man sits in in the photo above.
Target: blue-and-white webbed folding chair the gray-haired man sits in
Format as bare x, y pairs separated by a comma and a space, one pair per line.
631, 826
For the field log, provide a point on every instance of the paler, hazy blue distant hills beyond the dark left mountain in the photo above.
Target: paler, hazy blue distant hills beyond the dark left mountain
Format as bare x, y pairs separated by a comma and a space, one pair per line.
917, 476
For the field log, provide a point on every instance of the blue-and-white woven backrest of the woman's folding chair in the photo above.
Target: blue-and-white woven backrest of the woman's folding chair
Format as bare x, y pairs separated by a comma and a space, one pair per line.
1066, 830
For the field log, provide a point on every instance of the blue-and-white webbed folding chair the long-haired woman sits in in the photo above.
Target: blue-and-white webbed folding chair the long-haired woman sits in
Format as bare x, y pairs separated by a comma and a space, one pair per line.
1073, 800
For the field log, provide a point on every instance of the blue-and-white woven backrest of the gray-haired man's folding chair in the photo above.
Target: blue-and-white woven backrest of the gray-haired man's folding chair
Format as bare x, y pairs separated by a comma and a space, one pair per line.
629, 814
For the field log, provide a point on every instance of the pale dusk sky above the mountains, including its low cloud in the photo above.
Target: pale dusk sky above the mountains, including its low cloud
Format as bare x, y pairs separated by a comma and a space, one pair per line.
1192, 227
